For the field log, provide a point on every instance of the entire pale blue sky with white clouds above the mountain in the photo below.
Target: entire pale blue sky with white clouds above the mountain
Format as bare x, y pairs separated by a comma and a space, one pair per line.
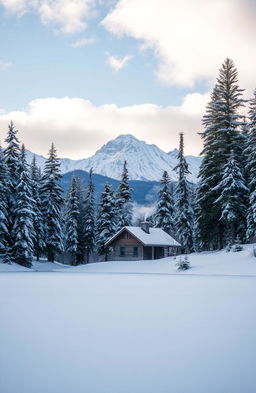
81, 72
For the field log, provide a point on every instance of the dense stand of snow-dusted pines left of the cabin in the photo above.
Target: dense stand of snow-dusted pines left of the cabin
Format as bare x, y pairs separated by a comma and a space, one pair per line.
36, 219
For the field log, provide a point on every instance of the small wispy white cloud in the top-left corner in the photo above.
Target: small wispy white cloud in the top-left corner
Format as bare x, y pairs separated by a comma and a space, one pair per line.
69, 16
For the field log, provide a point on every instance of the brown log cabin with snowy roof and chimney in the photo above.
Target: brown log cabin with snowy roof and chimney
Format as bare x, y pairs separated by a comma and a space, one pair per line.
133, 243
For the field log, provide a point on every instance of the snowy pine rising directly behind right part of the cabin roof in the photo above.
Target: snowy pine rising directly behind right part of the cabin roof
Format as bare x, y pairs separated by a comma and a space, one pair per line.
164, 217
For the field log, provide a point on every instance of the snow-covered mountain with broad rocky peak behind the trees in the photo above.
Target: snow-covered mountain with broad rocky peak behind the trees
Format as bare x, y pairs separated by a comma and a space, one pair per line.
144, 161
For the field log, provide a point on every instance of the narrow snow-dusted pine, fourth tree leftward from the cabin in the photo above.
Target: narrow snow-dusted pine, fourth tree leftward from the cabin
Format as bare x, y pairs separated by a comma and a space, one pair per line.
71, 219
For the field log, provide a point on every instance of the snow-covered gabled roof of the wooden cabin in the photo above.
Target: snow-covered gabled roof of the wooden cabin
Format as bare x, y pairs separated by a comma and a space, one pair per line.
155, 237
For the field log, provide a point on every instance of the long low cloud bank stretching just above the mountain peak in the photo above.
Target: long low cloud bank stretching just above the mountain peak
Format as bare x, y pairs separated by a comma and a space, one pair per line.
79, 128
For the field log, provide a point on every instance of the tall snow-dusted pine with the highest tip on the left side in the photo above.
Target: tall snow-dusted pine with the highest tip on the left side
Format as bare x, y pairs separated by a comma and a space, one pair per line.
12, 157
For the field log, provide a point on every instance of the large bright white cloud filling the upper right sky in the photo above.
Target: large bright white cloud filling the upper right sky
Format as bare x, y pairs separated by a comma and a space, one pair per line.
190, 38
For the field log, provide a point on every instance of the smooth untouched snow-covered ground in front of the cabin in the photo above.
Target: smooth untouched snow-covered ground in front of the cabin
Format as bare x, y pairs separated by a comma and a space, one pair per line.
112, 328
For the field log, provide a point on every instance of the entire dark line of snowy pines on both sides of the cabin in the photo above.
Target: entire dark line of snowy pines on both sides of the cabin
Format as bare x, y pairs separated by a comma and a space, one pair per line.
36, 219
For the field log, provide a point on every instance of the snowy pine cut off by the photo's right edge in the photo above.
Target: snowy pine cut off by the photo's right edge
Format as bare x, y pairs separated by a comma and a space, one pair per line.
251, 170
